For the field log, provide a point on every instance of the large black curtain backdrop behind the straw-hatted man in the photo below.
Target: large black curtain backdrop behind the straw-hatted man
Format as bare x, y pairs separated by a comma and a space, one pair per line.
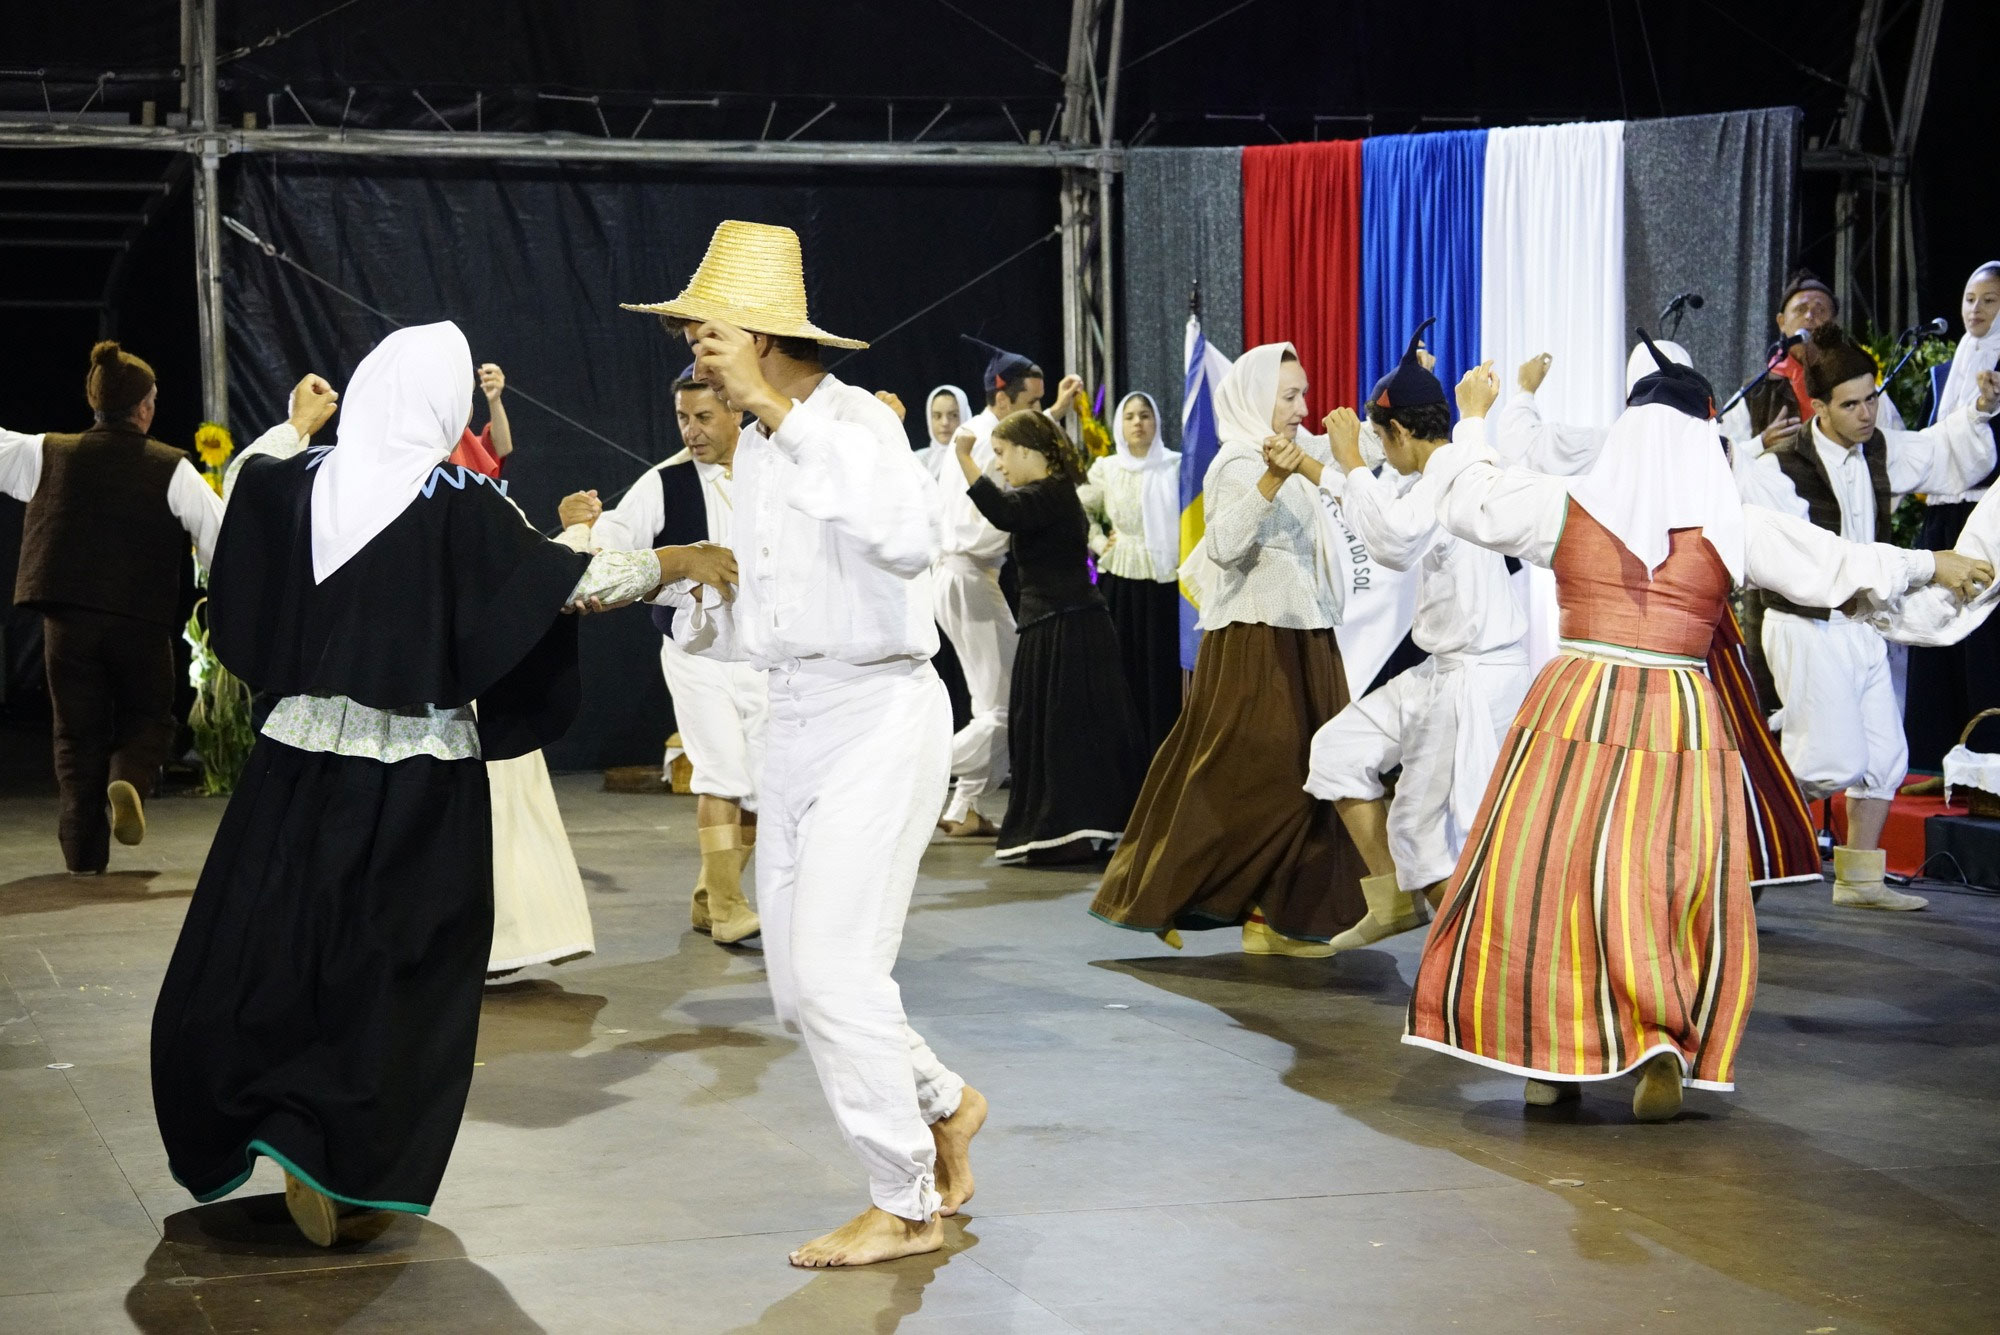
533, 261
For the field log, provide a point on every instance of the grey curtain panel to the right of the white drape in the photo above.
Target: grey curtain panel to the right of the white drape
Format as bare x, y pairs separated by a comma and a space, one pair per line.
1709, 209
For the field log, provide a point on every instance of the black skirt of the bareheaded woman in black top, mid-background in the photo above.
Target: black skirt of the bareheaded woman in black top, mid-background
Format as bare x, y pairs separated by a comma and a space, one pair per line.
1075, 742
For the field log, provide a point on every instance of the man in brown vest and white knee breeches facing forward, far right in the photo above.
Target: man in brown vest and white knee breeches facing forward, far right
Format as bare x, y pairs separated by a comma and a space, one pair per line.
1843, 726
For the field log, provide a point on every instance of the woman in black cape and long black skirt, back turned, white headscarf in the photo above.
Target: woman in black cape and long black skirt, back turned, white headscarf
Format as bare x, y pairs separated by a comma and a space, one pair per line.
325, 996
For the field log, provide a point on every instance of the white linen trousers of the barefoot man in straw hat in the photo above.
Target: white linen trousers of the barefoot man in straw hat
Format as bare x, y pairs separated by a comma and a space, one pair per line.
855, 766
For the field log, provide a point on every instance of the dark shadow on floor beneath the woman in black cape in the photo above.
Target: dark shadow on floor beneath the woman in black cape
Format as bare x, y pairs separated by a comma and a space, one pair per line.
241, 1266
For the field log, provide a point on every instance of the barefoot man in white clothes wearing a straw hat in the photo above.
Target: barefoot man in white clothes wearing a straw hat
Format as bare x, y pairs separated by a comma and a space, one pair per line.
835, 533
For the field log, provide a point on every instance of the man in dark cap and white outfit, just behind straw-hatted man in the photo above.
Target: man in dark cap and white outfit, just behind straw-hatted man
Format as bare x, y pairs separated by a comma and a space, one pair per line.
969, 601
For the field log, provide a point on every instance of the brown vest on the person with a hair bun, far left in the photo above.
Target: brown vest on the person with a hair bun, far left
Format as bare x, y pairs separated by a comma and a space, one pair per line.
99, 533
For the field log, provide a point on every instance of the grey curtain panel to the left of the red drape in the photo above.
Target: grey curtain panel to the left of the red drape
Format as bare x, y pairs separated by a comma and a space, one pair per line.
1183, 221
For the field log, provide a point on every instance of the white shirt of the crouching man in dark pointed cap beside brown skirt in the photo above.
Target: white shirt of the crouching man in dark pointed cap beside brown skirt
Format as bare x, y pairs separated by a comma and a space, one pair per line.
1465, 597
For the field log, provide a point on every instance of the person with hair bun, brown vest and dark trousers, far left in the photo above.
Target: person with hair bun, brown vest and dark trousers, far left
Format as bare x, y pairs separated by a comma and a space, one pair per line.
111, 517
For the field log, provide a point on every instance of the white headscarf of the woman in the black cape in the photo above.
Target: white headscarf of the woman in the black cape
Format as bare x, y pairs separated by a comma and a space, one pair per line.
401, 417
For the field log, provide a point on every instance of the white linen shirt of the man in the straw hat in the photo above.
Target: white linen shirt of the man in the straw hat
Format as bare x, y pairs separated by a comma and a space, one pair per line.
837, 529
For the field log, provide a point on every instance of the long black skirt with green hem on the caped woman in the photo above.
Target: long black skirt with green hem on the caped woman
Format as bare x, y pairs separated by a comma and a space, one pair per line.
325, 996
